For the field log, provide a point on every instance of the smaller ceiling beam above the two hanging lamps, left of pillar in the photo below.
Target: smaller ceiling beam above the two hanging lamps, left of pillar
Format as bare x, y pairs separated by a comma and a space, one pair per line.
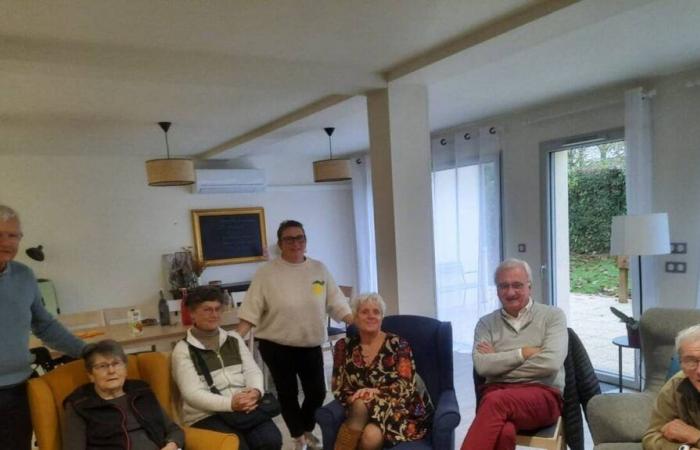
276, 124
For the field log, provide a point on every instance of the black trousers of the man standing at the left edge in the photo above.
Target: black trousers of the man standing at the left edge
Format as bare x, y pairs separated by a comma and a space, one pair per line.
15, 421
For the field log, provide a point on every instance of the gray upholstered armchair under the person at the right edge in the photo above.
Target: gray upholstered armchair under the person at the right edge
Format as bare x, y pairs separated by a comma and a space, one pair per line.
618, 421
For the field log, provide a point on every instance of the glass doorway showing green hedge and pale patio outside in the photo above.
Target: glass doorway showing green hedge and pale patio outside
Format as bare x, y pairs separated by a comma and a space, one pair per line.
584, 188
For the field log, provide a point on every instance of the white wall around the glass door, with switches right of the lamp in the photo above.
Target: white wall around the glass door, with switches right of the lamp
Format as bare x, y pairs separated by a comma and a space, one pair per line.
675, 110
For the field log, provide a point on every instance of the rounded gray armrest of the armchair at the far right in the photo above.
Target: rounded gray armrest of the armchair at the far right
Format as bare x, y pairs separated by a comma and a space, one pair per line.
619, 417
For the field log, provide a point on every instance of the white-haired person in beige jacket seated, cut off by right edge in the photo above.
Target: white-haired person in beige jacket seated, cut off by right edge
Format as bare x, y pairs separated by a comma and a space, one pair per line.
675, 421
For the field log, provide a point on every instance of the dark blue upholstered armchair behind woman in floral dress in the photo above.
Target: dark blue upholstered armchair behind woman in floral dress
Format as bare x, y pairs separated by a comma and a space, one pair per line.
431, 342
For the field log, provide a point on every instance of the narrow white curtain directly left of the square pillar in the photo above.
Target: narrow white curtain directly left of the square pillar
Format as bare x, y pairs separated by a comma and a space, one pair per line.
363, 206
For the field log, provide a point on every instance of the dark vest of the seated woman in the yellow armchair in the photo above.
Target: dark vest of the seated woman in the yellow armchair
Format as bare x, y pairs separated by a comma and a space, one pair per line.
104, 420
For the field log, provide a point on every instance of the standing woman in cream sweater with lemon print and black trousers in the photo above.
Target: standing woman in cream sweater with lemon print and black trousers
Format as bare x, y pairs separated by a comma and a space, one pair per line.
287, 303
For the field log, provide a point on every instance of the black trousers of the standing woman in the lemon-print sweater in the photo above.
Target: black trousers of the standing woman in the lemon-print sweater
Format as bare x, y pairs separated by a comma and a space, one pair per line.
286, 363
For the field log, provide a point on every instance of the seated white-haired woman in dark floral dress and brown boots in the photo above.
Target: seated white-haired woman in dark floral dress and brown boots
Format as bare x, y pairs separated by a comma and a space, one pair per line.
374, 377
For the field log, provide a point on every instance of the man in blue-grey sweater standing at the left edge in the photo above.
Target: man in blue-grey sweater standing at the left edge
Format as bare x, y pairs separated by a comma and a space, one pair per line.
22, 311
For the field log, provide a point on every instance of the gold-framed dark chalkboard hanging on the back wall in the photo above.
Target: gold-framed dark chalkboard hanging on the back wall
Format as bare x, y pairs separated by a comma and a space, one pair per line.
229, 236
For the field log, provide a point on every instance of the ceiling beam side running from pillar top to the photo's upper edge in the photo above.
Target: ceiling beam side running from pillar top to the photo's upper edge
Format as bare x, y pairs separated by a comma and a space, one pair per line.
497, 27
